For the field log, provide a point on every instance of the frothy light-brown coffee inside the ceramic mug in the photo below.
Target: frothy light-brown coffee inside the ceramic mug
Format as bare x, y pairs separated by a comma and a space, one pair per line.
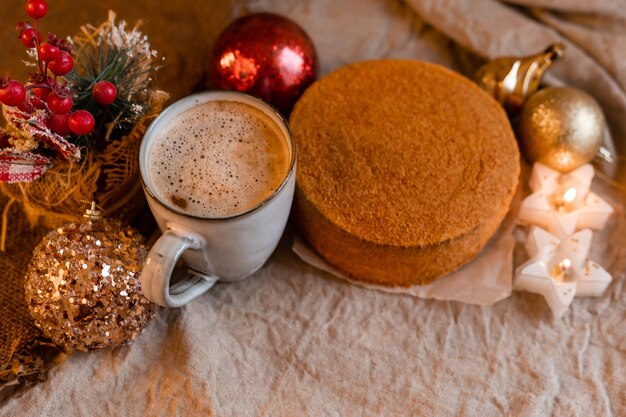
218, 159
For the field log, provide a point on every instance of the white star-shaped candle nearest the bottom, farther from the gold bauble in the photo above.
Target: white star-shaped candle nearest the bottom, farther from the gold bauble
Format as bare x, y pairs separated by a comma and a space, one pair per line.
559, 269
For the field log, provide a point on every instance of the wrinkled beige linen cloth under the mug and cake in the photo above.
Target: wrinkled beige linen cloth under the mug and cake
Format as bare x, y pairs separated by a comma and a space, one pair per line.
292, 341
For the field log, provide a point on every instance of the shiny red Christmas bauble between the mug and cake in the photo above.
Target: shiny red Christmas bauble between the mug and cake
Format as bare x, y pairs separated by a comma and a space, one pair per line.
267, 56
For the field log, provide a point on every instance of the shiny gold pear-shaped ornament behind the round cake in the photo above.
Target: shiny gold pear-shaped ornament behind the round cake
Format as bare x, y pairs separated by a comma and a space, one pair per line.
510, 80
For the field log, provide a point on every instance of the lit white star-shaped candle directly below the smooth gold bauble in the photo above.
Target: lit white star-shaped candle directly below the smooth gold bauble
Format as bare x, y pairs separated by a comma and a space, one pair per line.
562, 203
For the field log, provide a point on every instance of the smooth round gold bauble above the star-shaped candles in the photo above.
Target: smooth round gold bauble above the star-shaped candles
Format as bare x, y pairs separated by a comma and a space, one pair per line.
561, 127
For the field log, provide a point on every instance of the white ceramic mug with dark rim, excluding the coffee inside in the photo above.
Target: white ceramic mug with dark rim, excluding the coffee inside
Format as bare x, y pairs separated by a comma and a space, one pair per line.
226, 248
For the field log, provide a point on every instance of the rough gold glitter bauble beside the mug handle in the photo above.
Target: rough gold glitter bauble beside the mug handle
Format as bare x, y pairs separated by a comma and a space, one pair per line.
83, 288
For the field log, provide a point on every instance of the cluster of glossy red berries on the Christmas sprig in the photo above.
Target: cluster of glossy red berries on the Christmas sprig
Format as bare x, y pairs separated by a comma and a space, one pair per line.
47, 90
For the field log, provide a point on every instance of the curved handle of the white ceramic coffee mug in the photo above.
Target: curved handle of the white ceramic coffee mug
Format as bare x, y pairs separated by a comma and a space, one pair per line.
159, 265
